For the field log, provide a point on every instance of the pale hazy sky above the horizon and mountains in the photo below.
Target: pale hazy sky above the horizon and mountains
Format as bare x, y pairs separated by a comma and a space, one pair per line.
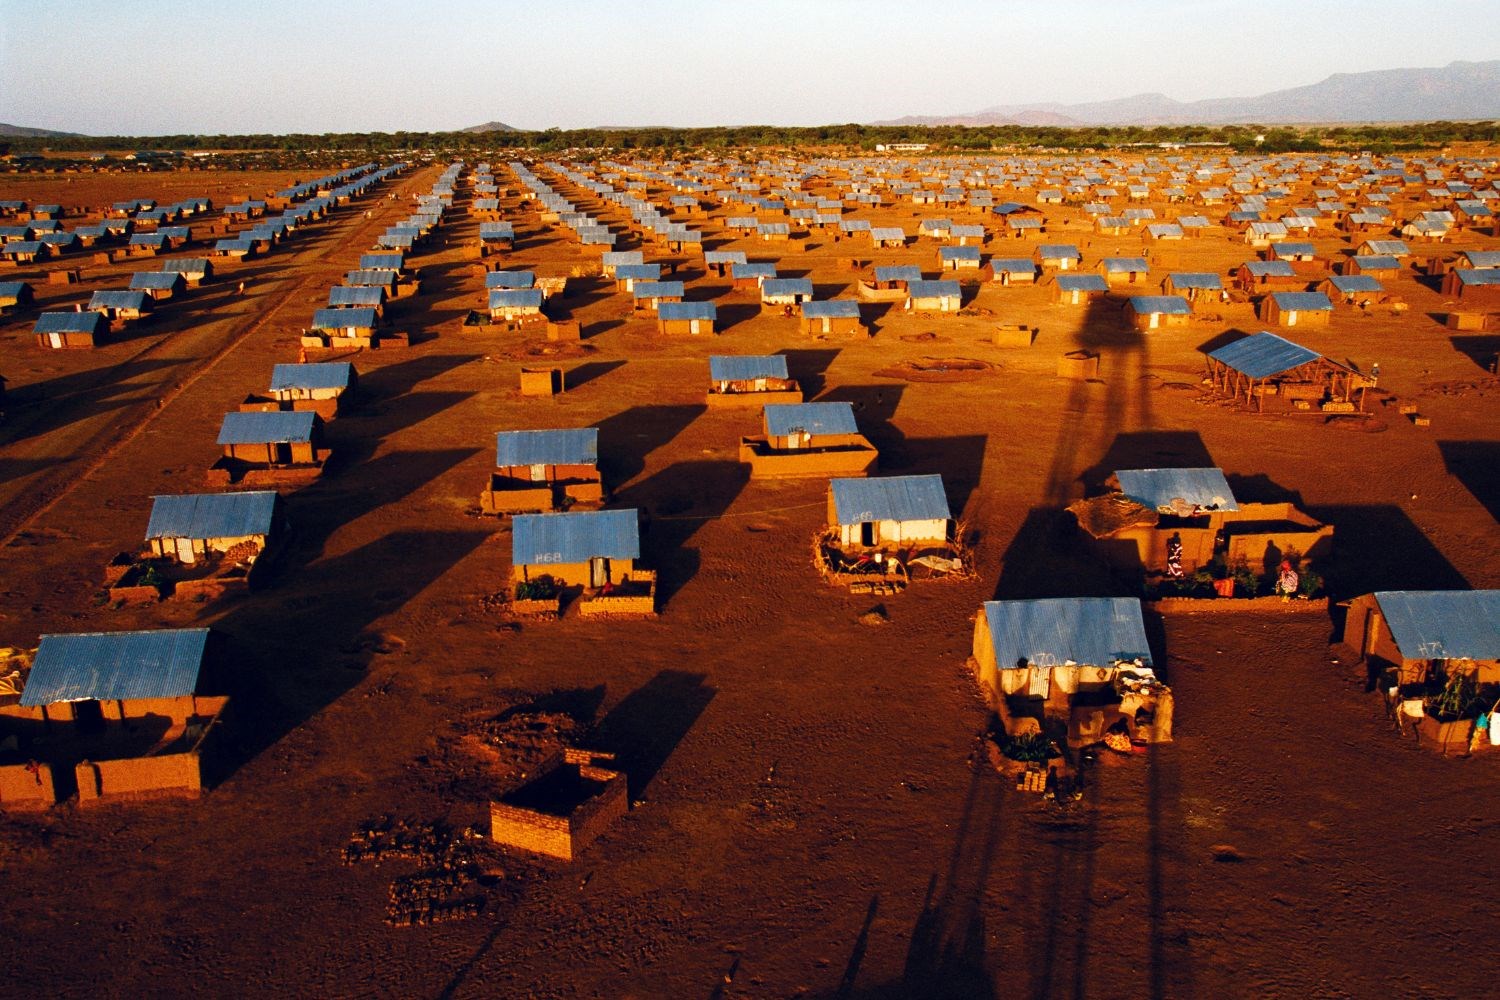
223, 67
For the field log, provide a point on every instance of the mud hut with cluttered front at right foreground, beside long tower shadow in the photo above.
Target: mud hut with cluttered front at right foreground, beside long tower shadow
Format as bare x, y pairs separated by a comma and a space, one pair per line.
1081, 660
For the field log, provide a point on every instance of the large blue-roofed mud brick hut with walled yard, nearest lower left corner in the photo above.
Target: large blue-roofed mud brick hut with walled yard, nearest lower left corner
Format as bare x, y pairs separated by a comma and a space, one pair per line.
113, 716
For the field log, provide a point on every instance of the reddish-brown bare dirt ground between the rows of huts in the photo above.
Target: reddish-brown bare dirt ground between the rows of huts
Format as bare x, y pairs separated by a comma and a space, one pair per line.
814, 815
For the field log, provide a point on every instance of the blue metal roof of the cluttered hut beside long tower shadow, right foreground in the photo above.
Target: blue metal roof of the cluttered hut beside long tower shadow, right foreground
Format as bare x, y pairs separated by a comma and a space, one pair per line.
1094, 632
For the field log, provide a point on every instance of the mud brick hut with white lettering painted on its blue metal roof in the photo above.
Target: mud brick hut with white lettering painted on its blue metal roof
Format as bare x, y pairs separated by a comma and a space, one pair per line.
587, 552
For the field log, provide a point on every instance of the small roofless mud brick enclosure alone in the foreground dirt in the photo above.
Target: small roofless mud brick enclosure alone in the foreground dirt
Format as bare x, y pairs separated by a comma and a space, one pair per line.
563, 809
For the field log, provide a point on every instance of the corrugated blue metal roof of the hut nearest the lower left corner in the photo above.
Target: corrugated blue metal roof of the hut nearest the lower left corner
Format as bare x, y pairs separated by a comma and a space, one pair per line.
116, 666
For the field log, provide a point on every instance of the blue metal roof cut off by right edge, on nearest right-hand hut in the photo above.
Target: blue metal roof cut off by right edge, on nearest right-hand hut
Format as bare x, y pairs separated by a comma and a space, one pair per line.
1444, 624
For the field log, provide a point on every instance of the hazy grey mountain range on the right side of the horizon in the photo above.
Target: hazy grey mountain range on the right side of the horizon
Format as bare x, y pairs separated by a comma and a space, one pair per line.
1454, 92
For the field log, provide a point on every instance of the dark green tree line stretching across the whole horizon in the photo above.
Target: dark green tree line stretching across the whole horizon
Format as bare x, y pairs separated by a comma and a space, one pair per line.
1378, 139
